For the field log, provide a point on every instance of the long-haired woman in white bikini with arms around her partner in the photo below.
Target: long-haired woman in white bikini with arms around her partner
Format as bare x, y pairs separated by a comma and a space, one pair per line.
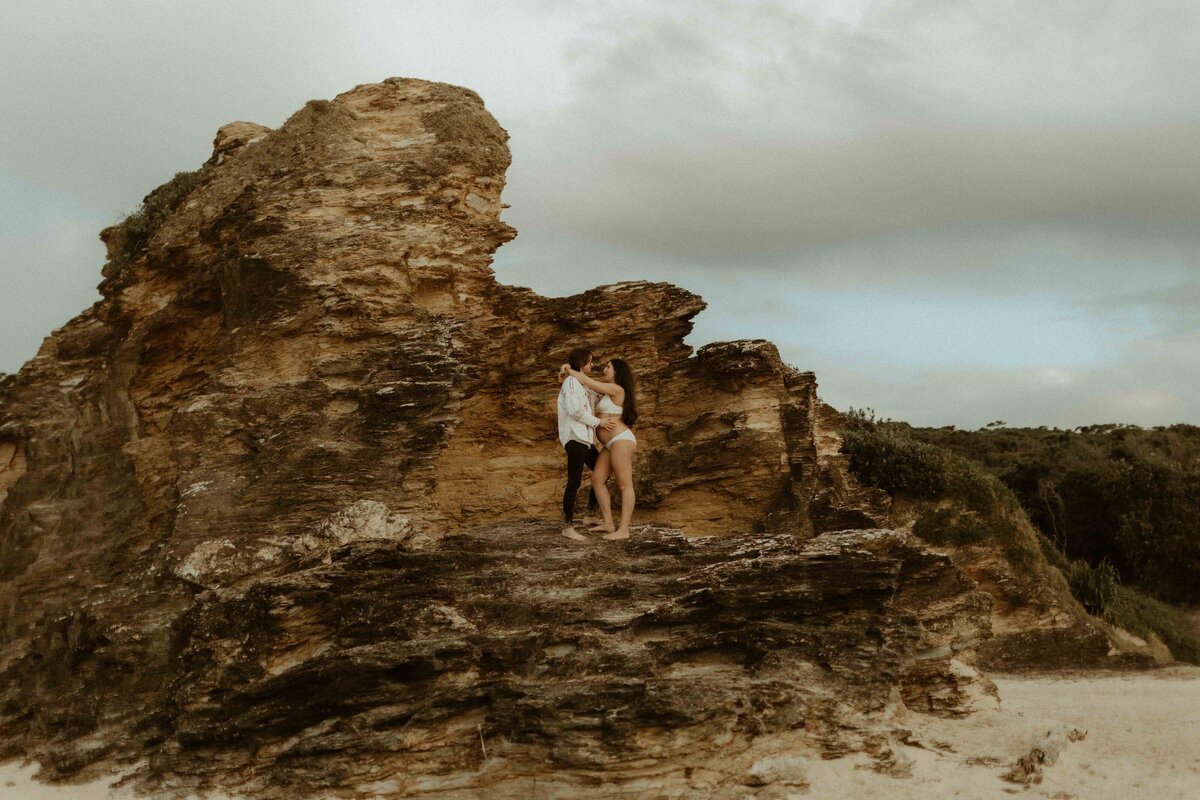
619, 404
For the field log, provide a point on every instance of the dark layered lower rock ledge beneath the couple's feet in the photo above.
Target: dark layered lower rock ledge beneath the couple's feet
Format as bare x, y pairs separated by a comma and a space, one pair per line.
631, 664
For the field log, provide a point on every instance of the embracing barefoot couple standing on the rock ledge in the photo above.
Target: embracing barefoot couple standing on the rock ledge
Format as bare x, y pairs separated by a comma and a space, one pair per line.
595, 428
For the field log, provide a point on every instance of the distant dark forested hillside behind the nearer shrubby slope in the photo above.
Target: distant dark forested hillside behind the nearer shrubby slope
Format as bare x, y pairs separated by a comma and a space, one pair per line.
1112, 494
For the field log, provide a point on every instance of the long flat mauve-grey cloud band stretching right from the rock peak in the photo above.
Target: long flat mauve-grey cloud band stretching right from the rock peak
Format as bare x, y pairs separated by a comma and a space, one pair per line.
723, 197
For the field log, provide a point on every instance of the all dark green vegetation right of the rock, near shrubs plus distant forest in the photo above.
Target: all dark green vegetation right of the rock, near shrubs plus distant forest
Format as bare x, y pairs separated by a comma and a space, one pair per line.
1115, 508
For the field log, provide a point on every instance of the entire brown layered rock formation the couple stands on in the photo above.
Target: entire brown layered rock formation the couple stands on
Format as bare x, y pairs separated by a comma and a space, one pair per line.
269, 510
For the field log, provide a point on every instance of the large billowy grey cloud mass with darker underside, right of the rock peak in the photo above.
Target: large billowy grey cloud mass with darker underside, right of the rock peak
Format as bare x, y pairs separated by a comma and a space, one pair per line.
747, 129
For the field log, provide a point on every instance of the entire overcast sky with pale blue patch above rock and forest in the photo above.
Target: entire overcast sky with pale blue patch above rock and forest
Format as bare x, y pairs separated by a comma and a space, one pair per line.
953, 212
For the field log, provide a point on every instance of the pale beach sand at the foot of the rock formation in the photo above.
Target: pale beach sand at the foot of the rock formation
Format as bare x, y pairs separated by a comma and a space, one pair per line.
1143, 743
